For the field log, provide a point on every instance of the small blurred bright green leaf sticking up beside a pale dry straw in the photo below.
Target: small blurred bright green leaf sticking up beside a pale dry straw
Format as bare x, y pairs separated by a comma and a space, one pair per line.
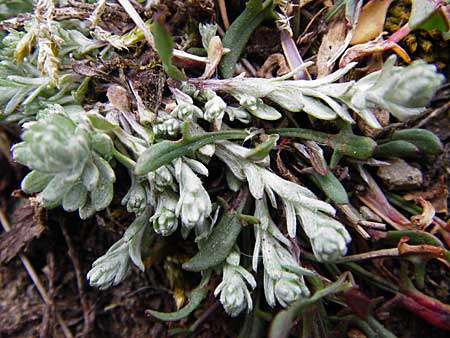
164, 47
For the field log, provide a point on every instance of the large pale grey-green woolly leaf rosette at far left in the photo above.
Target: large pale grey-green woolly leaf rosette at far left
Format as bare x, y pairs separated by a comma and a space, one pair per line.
68, 167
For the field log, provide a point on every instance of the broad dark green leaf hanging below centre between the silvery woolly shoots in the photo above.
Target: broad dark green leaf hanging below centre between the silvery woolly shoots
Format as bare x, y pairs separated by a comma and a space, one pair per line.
218, 245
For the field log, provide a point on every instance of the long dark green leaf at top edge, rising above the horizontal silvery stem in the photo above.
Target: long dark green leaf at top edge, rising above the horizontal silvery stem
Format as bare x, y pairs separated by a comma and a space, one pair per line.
237, 35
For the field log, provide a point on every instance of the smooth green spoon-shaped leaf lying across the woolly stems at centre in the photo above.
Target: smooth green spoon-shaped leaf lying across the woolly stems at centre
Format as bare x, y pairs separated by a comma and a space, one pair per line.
165, 152
